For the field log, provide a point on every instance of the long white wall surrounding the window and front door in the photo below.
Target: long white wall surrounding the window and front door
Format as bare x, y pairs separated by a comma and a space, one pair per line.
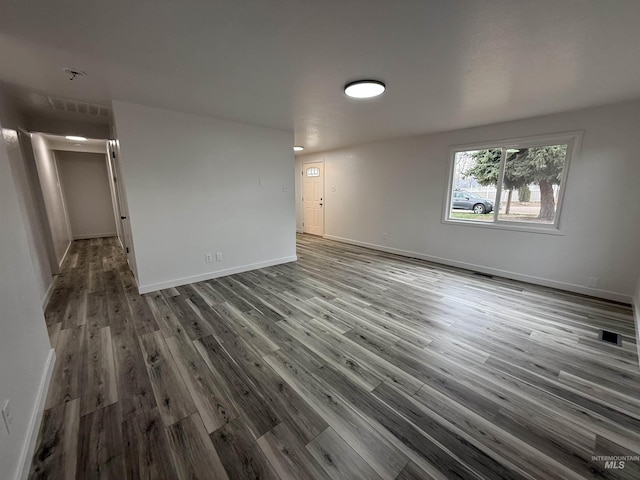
397, 187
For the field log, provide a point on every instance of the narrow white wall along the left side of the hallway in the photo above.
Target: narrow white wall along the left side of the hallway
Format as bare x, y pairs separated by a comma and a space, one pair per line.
52, 194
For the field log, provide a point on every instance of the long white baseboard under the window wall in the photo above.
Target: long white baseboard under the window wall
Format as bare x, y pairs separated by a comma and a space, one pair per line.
545, 282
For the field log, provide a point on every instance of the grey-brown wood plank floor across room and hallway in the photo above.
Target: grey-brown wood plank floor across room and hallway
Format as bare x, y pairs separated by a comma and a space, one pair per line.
349, 364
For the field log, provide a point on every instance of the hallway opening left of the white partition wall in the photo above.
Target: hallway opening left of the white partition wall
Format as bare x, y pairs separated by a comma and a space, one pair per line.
81, 199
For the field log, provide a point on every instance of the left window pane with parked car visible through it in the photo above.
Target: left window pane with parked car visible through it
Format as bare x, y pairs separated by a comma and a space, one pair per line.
475, 176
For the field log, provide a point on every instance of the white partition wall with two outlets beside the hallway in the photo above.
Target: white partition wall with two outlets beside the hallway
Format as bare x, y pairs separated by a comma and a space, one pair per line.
196, 185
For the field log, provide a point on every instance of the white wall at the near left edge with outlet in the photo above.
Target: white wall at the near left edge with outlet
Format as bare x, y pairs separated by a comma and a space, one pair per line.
25, 353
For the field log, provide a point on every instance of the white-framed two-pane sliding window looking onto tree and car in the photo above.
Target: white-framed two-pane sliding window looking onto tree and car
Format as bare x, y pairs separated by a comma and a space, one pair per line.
516, 183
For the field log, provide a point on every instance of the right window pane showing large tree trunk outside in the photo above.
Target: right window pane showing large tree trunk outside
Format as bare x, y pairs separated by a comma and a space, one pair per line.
531, 183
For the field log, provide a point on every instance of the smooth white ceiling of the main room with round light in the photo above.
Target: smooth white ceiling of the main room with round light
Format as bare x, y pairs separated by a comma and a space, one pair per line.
283, 63
